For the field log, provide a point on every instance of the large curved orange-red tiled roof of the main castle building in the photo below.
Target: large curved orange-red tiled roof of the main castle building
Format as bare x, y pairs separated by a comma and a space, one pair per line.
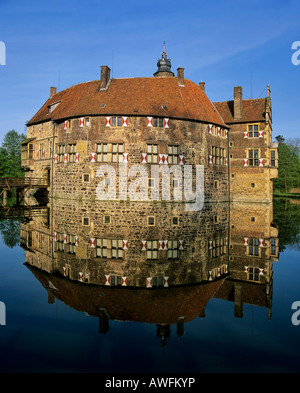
132, 96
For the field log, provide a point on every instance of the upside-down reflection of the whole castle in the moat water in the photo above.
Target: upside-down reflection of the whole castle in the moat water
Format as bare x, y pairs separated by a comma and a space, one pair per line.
152, 262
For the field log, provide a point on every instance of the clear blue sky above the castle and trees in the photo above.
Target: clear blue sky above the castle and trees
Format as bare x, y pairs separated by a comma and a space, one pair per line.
223, 43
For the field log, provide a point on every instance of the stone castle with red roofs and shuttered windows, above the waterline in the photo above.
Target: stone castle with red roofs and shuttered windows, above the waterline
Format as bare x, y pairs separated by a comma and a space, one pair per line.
164, 120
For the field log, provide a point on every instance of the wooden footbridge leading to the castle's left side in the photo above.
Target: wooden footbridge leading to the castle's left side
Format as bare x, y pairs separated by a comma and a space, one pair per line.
20, 184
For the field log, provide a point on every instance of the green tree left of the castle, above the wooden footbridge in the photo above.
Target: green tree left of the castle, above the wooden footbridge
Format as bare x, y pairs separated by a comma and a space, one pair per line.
10, 155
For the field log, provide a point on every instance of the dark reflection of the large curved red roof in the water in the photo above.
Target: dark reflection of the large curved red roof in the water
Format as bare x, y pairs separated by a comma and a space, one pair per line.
160, 305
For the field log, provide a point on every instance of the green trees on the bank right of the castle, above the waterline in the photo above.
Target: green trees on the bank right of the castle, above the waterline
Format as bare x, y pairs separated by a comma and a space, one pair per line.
288, 166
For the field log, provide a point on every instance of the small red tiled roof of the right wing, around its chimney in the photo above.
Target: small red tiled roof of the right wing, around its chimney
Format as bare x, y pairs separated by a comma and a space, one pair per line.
253, 110
